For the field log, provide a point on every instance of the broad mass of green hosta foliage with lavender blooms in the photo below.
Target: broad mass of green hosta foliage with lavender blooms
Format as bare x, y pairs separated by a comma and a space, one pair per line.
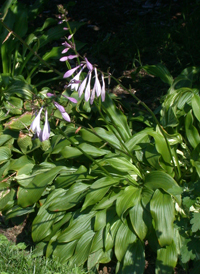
107, 186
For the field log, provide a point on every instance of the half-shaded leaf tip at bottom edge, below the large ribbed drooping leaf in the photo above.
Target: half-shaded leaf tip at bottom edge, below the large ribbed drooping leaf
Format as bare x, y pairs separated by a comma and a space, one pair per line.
166, 259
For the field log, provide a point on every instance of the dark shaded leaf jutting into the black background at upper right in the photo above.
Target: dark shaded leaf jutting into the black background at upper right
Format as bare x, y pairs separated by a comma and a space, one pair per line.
161, 71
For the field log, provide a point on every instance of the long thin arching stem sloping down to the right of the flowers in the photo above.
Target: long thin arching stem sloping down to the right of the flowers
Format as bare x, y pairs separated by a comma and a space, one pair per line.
176, 165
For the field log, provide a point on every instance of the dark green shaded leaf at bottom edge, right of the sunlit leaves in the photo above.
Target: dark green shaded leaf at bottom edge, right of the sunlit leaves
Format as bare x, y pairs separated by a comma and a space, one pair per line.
134, 259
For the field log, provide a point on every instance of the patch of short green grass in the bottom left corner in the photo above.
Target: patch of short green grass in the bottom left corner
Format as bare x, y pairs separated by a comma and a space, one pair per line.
15, 259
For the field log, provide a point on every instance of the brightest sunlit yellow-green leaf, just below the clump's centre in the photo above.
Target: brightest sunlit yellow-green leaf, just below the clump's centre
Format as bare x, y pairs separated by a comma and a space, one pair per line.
127, 199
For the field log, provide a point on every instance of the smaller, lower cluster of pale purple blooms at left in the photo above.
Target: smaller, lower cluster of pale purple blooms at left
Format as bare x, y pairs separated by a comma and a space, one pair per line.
43, 134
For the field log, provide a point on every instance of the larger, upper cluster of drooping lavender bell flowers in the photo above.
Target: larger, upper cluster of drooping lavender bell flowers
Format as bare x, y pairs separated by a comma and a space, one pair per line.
85, 85
